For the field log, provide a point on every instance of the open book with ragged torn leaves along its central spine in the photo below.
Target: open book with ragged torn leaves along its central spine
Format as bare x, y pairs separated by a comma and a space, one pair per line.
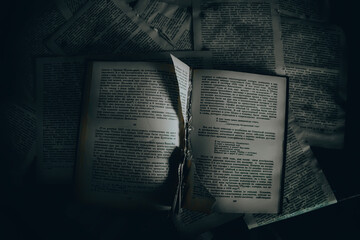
152, 131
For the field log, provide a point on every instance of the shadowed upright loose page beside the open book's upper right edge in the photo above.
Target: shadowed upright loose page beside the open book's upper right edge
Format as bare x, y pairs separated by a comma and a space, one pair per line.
315, 64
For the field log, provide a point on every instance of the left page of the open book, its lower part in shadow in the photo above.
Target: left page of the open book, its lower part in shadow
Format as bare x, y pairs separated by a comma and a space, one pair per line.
129, 139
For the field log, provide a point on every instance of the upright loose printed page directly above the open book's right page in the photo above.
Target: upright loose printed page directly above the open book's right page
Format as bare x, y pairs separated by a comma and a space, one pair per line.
243, 35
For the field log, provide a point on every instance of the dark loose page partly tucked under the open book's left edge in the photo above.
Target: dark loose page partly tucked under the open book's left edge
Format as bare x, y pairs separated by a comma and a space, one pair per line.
60, 83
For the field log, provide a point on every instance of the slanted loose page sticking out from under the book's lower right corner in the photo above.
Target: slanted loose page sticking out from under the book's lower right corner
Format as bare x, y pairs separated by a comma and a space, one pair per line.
305, 186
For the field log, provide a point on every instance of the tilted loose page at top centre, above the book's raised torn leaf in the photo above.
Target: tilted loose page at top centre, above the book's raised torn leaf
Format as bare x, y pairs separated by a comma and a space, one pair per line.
172, 21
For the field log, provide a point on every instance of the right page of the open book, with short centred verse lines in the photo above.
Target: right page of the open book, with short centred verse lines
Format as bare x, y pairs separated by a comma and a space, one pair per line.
237, 138
